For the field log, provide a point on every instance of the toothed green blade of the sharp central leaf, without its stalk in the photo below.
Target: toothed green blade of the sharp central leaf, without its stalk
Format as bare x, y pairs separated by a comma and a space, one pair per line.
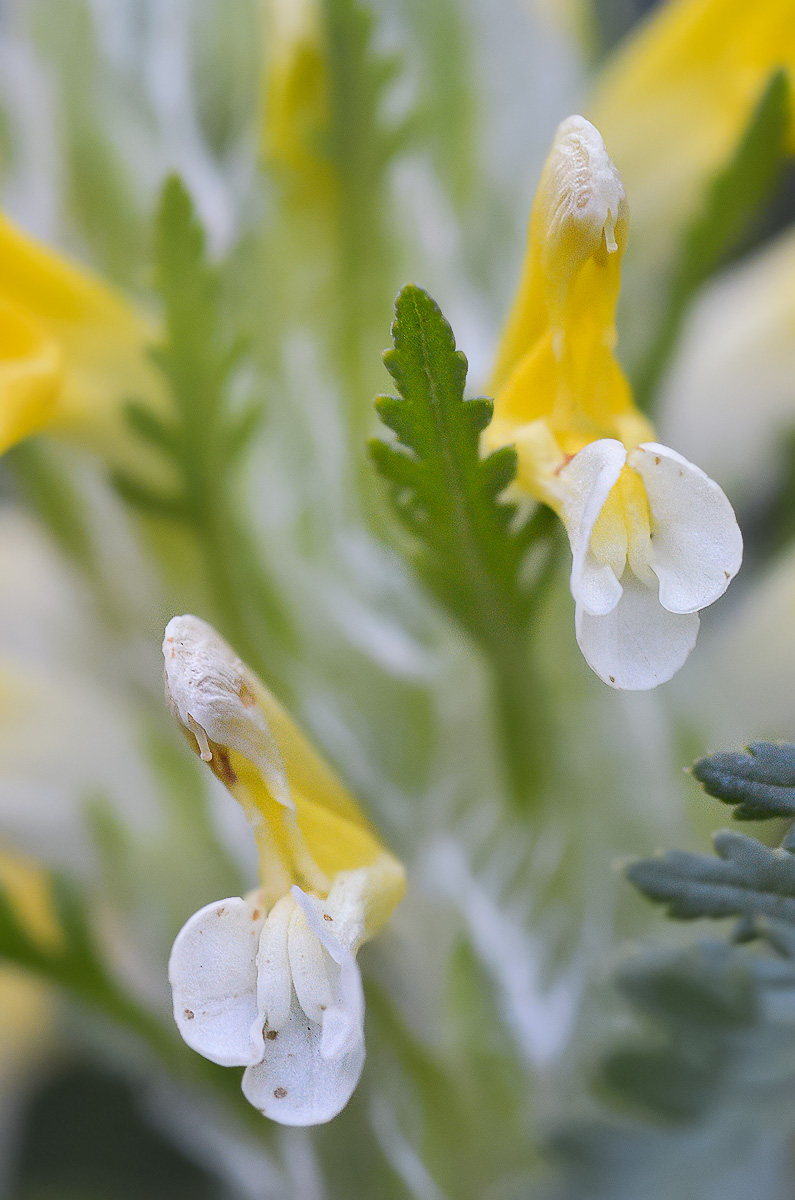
469, 542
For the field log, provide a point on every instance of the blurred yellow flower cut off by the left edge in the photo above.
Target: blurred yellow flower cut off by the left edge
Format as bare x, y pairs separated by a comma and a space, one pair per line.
71, 351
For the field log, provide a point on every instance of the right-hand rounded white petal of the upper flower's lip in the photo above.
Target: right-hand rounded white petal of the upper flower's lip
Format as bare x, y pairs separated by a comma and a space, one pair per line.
697, 545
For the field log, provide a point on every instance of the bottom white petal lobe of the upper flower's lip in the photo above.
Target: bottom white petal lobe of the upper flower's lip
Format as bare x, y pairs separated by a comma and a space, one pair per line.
639, 645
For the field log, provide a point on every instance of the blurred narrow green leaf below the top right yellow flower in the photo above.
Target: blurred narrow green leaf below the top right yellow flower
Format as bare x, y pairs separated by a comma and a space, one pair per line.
732, 203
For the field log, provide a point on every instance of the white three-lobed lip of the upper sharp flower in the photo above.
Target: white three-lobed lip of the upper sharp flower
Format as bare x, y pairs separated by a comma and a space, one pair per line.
637, 632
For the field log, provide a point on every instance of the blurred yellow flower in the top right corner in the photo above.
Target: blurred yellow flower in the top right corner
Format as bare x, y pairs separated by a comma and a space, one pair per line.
678, 97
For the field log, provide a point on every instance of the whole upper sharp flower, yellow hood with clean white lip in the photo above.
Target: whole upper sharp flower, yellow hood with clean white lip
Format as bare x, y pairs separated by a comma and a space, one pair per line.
654, 539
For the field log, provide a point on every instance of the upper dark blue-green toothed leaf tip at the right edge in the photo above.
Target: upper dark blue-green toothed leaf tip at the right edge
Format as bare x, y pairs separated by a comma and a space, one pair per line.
761, 783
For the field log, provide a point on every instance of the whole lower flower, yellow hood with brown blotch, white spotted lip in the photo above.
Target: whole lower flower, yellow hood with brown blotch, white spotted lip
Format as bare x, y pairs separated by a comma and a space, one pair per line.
271, 981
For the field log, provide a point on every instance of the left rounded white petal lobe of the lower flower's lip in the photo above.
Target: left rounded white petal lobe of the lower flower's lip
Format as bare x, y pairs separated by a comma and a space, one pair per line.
214, 983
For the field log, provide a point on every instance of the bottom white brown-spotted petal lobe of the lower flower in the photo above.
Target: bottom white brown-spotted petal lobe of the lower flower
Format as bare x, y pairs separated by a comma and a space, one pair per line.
297, 1084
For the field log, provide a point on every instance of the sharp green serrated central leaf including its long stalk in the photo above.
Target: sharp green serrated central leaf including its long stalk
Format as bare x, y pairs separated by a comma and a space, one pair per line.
469, 544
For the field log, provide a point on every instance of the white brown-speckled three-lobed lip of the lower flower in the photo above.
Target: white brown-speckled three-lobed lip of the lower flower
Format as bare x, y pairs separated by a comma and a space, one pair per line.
278, 994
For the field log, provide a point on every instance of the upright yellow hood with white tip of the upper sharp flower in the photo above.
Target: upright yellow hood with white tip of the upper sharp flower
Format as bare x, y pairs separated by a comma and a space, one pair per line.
557, 365
